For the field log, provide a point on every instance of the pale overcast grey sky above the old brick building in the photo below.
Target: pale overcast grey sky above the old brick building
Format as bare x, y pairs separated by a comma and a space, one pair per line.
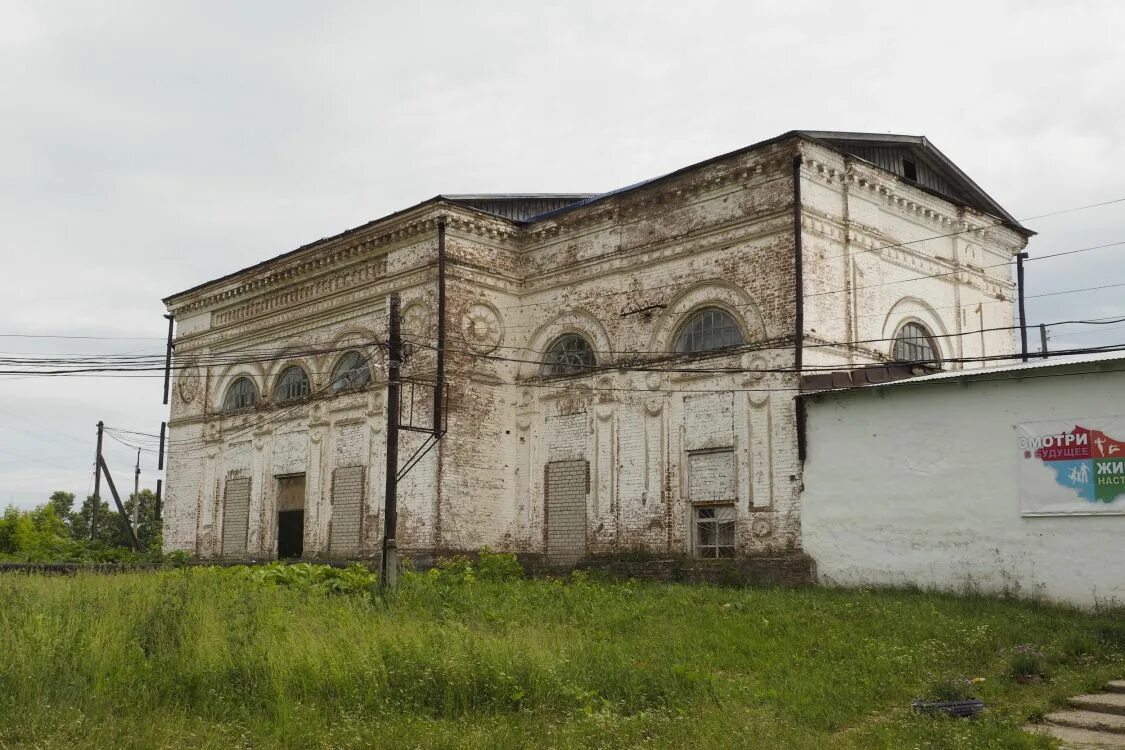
150, 147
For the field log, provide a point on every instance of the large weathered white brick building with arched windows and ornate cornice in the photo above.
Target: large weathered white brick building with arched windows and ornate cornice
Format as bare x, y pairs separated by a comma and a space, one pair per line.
581, 421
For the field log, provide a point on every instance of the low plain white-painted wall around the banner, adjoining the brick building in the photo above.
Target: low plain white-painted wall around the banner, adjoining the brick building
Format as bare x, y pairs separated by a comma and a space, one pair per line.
917, 485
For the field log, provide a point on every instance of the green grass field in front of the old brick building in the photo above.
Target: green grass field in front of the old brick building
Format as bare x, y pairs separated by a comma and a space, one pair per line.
206, 658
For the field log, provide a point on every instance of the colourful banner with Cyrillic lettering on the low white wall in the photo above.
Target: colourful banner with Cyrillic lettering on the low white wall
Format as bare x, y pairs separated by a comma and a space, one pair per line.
1073, 468
